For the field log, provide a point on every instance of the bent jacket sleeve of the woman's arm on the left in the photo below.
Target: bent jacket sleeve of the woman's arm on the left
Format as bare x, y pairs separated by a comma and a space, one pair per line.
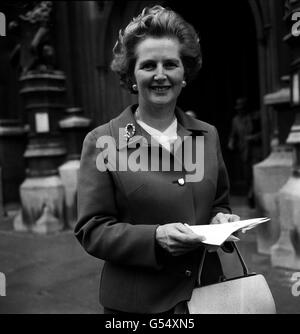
98, 228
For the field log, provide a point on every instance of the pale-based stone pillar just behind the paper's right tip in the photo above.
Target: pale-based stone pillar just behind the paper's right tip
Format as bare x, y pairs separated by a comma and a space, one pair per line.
273, 172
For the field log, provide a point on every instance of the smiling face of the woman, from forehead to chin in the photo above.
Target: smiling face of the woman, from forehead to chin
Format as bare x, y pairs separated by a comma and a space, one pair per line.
158, 71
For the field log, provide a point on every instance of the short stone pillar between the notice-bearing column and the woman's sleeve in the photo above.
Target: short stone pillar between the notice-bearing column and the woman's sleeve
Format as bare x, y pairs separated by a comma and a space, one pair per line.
74, 127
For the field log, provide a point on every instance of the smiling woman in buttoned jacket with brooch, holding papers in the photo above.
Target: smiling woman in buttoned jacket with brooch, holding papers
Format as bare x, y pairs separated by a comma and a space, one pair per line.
132, 210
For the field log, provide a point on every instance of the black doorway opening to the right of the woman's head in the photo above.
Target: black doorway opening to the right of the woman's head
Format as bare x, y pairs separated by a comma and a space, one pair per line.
230, 68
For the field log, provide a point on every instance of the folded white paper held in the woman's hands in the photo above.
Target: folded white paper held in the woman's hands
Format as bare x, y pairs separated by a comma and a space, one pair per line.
216, 234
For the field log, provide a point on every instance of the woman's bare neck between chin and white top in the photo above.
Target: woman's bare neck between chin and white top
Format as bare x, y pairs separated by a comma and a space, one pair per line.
158, 118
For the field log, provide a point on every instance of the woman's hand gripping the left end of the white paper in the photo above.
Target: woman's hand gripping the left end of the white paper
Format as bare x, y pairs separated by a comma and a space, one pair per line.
177, 239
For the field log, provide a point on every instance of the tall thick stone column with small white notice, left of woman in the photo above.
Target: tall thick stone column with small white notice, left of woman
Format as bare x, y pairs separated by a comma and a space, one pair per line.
43, 92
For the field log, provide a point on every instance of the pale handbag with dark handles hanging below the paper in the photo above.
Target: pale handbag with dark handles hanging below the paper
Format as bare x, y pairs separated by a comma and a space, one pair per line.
247, 294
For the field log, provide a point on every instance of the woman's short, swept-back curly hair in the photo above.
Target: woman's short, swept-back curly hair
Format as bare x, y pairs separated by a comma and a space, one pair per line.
155, 22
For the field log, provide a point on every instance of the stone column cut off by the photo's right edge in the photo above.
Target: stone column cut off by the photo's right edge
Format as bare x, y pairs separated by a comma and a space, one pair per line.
286, 252
